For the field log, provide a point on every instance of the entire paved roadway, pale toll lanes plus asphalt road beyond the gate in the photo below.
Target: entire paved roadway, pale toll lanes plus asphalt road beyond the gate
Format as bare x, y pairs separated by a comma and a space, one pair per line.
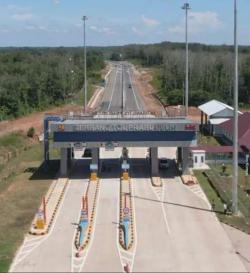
175, 229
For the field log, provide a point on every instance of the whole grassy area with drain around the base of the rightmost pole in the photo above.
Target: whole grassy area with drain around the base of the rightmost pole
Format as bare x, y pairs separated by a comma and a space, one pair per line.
217, 187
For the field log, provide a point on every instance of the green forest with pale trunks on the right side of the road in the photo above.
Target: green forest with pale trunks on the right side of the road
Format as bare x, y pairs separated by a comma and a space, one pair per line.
211, 70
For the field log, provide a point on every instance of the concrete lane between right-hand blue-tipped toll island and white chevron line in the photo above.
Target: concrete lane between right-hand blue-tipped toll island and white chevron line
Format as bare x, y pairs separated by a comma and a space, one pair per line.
154, 252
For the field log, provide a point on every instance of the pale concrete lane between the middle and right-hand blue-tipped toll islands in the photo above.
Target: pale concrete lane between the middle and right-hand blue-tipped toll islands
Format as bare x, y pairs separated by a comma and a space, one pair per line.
103, 255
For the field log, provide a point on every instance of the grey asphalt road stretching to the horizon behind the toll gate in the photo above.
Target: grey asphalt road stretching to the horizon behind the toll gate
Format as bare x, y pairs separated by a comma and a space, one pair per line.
120, 93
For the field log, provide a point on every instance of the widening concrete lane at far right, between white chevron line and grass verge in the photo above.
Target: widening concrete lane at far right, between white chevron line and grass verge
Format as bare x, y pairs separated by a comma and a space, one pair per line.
199, 241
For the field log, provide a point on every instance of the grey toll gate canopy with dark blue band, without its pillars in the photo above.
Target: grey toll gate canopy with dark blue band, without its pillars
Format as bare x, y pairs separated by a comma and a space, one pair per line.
124, 132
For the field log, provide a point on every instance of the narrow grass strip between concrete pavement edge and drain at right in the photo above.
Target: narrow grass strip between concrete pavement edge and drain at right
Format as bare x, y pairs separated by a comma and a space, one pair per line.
239, 222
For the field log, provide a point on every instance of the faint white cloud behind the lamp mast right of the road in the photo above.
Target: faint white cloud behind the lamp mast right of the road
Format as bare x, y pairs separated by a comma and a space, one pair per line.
199, 22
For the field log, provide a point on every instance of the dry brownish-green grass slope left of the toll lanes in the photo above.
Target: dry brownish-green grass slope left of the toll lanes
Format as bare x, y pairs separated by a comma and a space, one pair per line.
20, 196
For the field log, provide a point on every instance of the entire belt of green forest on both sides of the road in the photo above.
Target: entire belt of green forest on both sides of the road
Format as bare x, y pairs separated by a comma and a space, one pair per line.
33, 79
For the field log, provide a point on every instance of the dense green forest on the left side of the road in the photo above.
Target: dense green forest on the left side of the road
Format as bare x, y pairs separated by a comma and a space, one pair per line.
33, 79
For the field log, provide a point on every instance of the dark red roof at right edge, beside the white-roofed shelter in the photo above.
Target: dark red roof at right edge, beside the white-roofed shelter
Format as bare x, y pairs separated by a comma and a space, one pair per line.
244, 129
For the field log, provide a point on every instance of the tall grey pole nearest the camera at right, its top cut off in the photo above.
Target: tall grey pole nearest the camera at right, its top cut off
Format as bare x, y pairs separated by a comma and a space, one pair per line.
235, 135
